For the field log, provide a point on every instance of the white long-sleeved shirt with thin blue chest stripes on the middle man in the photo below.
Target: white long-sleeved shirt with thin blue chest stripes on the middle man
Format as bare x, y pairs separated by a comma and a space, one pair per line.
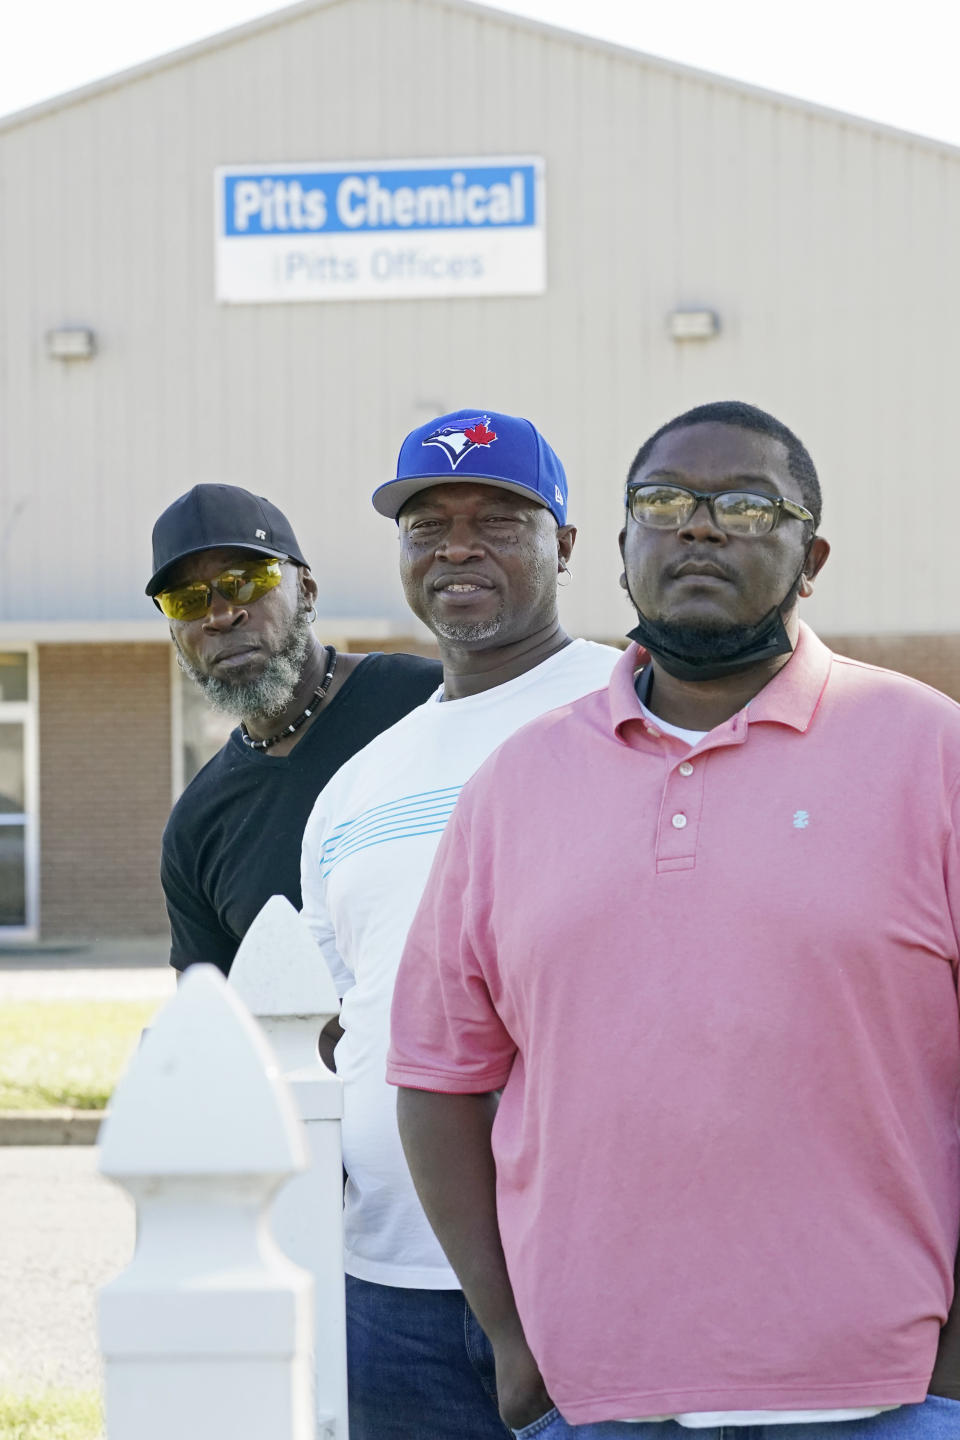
368, 853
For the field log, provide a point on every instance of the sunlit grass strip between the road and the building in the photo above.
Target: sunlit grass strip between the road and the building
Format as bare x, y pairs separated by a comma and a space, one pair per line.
67, 1053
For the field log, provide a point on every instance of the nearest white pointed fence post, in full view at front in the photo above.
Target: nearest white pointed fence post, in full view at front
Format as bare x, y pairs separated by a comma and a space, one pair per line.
208, 1333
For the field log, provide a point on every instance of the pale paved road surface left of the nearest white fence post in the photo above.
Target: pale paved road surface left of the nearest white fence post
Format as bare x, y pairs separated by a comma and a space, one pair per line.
64, 1232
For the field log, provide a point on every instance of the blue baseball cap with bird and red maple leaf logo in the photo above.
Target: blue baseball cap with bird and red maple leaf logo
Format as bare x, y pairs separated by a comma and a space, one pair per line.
480, 446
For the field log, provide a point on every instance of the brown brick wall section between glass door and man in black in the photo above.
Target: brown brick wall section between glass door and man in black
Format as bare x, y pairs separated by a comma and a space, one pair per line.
104, 731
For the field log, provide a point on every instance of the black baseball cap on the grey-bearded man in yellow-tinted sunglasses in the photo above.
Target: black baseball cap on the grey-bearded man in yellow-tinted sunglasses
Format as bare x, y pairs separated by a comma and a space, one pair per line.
218, 518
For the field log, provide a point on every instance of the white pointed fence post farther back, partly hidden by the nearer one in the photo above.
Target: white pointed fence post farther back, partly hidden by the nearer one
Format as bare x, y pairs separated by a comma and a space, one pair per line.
284, 981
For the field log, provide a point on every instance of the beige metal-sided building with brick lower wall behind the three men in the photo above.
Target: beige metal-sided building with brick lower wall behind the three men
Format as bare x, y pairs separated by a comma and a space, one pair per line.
703, 240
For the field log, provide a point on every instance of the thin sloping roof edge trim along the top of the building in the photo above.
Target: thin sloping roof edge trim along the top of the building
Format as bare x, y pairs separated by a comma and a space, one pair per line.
520, 22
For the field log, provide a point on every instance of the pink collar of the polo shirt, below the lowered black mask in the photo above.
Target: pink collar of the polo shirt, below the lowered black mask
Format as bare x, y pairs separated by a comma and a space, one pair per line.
791, 698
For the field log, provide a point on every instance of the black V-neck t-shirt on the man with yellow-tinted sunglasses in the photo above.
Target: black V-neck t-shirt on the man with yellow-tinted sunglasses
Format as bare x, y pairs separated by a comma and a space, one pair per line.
235, 834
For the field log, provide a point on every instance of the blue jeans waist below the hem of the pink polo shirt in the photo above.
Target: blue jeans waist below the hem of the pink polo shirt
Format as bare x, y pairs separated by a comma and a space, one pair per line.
935, 1421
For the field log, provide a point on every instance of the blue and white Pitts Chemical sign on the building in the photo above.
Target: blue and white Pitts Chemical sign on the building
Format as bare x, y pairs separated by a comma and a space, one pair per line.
399, 230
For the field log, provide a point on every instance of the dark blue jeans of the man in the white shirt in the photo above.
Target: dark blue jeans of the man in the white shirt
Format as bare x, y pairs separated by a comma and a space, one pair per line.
418, 1367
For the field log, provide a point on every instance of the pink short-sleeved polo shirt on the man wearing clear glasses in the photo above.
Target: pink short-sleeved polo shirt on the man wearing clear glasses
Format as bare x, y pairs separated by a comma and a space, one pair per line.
717, 989
